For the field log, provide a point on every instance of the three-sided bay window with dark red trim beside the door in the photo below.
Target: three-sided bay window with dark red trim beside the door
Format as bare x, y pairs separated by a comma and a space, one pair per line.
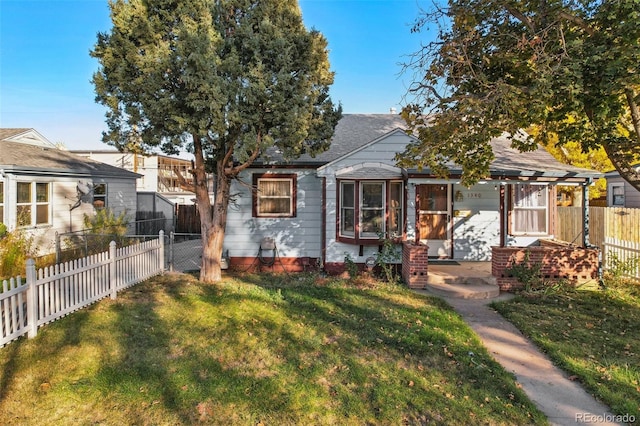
369, 209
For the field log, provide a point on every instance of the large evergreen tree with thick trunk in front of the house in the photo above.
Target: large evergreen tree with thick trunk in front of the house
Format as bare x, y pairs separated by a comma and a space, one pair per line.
226, 79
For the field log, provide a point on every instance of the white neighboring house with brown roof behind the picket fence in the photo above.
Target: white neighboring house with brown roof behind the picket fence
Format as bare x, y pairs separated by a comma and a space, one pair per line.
44, 190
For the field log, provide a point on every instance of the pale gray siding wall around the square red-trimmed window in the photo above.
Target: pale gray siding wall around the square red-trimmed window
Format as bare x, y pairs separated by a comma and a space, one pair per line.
299, 236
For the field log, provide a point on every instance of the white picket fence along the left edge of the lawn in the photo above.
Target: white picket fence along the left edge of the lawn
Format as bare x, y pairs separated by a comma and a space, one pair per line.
51, 293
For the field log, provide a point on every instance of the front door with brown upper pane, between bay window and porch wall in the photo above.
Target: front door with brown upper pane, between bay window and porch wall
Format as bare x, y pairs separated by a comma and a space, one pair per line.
434, 218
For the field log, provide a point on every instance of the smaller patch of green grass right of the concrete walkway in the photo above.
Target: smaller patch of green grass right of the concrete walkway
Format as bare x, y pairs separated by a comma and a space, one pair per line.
593, 334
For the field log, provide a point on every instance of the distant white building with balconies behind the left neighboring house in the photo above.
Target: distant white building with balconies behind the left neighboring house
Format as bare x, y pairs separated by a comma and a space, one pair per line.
168, 176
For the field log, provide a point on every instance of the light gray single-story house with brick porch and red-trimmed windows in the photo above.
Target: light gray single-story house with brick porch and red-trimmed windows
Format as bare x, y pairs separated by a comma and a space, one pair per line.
335, 206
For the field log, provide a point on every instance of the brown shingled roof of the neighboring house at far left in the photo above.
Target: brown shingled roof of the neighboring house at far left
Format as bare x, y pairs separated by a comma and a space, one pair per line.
30, 158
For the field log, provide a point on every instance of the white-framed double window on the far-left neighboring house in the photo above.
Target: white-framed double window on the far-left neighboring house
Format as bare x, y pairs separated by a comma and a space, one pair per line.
32, 206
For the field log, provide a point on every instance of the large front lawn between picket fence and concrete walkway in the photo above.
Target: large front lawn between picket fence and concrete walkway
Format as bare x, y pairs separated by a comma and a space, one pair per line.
259, 349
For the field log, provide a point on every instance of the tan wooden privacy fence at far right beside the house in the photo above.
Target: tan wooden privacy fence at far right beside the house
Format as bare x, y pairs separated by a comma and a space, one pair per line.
615, 230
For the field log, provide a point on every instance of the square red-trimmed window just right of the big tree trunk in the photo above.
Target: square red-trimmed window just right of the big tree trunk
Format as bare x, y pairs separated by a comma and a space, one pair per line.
274, 195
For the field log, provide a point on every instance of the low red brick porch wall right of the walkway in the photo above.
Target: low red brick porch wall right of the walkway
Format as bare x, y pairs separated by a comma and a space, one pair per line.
559, 262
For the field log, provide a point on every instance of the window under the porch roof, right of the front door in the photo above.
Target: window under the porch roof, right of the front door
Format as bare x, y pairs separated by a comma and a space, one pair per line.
529, 209
